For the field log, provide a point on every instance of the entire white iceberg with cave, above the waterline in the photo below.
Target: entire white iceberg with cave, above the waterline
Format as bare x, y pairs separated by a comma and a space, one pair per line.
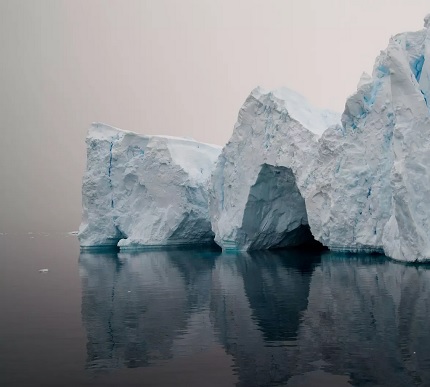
290, 173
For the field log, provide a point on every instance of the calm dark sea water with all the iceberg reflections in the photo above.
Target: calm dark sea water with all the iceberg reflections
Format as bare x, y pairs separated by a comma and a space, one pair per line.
202, 318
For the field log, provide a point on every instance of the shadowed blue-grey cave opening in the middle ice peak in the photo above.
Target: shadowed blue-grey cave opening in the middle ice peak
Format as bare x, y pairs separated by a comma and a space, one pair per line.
275, 215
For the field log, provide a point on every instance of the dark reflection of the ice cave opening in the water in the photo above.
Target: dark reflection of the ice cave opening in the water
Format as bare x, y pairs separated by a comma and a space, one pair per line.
277, 287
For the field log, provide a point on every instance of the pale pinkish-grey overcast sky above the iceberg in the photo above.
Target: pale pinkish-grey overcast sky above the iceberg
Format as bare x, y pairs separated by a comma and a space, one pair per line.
174, 67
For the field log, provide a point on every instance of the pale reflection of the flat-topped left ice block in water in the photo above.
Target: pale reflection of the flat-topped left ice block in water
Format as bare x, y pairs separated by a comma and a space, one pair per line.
135, 306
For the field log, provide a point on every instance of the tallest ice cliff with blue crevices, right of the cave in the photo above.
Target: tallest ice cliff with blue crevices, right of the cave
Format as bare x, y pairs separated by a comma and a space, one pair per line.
370, 189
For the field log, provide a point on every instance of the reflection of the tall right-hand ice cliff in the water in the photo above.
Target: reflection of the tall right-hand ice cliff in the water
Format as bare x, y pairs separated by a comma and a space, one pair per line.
368, 319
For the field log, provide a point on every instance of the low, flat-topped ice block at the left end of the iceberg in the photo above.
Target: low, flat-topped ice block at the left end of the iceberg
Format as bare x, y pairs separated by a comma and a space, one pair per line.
145, 191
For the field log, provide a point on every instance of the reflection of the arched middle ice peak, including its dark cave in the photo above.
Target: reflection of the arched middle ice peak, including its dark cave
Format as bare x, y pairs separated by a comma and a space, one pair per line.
257, 303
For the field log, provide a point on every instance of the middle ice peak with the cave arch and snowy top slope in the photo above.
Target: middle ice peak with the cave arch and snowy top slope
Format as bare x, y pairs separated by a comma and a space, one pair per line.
255, 192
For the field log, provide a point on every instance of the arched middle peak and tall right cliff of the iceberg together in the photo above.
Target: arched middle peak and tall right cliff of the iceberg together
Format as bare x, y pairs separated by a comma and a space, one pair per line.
364, 185
